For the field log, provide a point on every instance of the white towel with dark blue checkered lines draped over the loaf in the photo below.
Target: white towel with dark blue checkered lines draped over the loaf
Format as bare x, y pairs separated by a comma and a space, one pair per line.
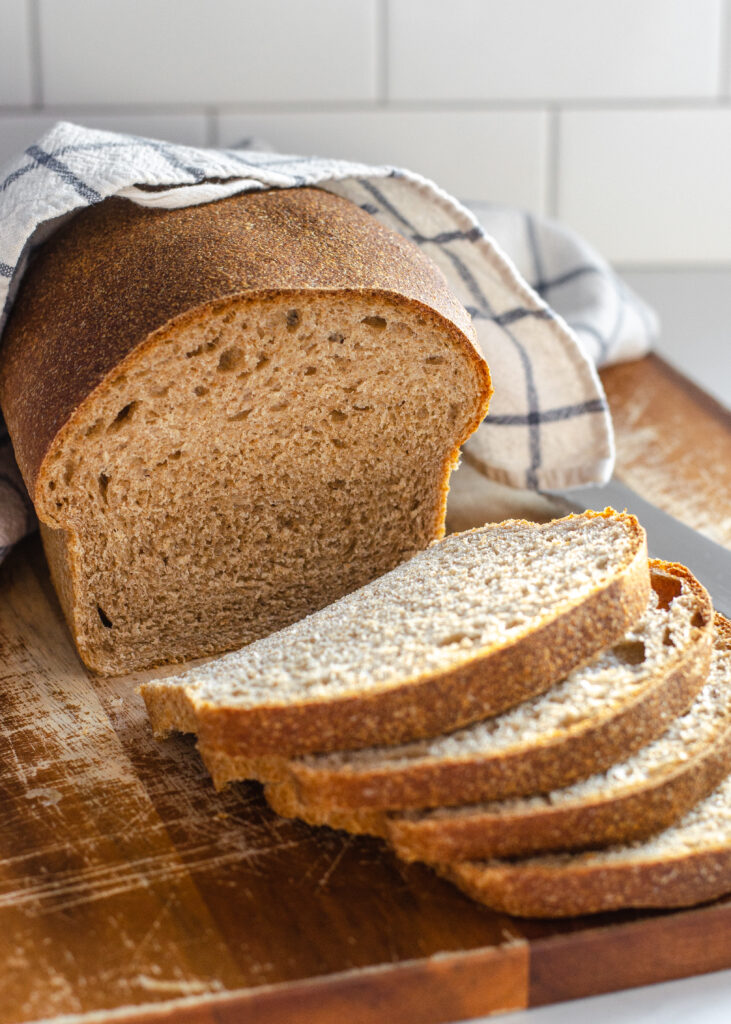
546, 309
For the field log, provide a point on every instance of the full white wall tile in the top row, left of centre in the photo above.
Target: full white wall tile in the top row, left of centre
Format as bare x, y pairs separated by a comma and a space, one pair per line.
183, 52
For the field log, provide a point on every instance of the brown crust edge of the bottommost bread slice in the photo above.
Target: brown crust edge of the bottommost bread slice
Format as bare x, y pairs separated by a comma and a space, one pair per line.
542, 892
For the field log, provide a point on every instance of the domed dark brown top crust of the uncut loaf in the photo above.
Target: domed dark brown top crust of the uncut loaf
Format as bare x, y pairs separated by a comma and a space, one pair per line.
119, 272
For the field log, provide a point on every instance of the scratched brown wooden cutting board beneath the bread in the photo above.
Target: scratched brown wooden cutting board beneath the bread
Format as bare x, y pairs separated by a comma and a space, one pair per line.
127, 884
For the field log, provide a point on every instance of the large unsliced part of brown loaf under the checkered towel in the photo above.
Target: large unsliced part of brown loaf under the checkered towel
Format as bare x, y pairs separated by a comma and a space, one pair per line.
230, 415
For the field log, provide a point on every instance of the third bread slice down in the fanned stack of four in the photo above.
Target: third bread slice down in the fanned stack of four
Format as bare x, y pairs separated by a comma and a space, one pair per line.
635, 798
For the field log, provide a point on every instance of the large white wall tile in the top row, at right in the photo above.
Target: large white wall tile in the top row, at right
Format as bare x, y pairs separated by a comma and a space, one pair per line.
579, 50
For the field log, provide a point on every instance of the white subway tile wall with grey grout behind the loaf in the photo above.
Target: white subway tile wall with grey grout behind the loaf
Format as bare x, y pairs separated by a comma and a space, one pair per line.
615, 115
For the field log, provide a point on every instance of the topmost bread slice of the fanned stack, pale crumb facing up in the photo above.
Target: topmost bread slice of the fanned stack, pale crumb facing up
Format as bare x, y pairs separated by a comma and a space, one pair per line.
476, 624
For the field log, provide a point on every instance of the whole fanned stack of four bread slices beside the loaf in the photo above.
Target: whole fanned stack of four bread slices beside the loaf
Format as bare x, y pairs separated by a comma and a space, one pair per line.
537, 711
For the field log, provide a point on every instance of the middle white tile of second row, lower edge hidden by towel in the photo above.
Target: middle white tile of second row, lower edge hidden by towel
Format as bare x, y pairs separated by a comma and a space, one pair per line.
494, 156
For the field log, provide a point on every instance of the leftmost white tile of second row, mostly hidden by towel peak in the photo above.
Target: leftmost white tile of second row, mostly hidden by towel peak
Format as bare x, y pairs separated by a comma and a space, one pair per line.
19, 133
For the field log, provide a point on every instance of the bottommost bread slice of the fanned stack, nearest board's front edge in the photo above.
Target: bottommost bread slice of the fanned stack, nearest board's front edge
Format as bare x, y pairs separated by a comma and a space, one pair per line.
690, 863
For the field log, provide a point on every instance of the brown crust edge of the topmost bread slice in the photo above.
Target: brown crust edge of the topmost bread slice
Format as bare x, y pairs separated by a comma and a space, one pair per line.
485, 685
